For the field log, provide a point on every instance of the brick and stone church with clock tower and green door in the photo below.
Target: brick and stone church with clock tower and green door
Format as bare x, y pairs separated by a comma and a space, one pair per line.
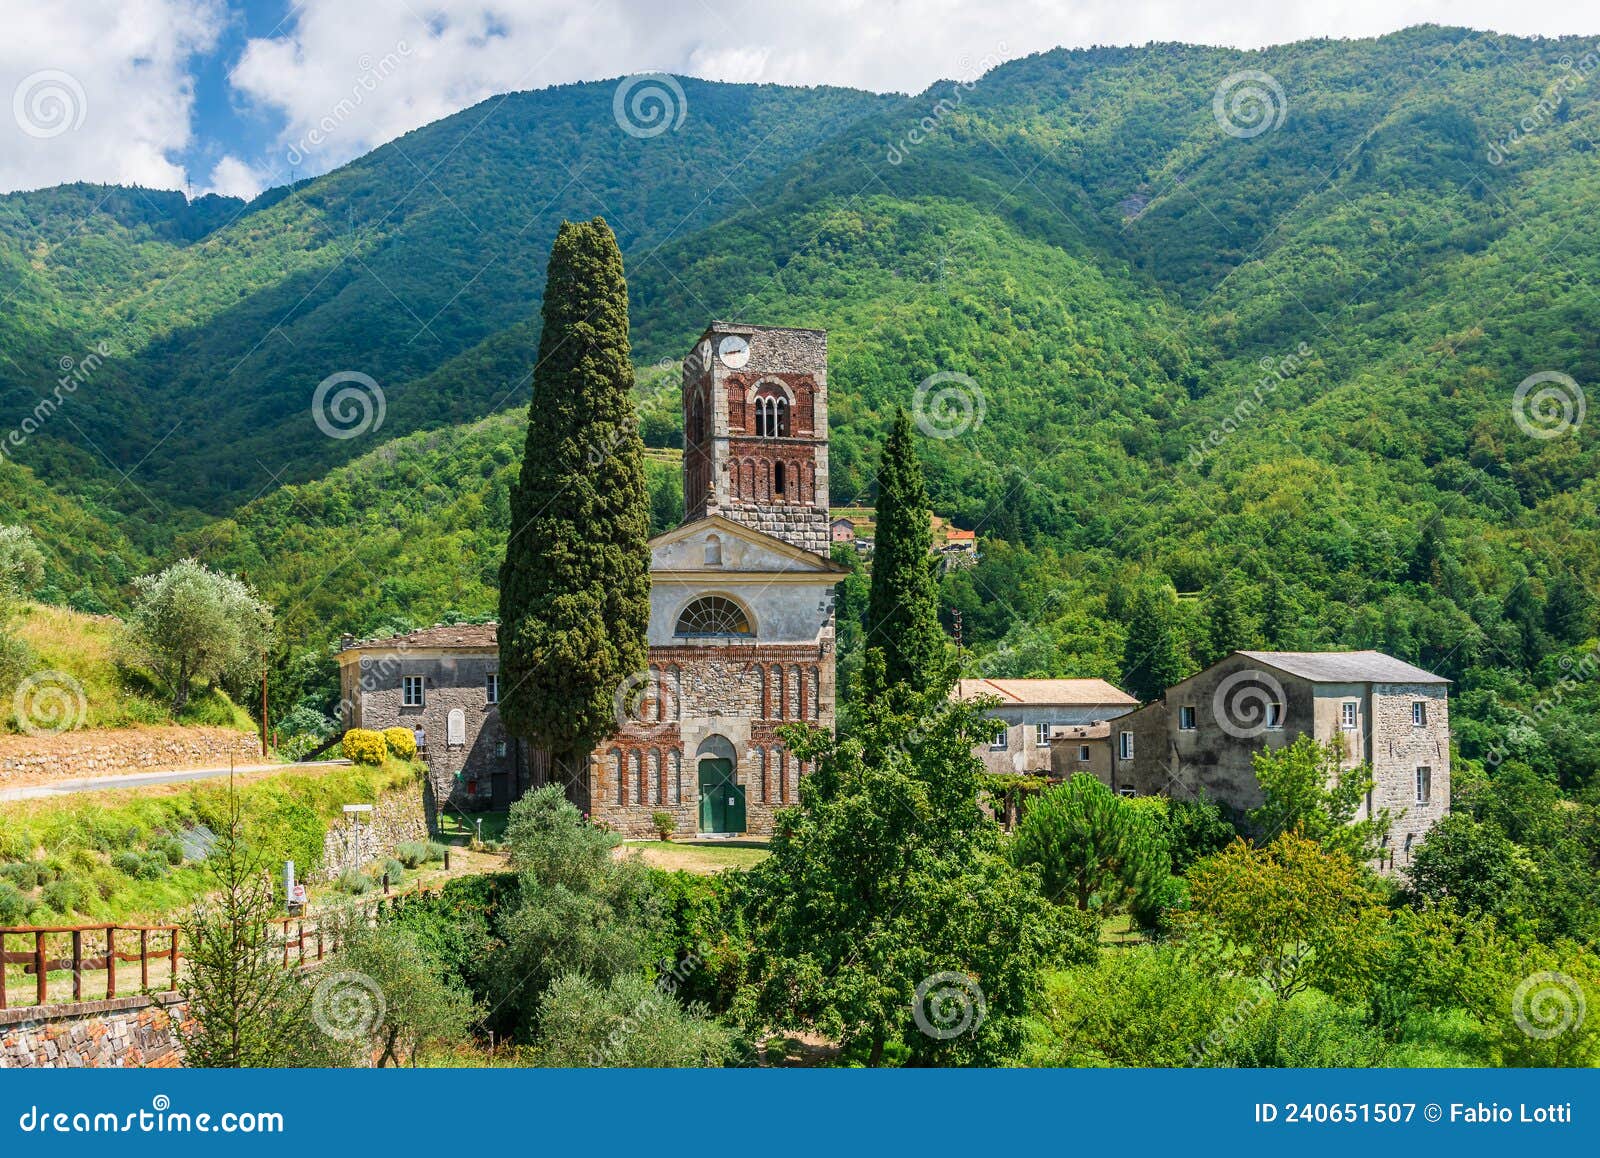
742, 607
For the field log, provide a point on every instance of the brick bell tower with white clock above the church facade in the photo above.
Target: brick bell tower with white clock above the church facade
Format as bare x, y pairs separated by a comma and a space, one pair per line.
756, 431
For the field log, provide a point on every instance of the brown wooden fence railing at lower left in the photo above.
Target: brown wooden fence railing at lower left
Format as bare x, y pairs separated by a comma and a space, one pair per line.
92, 952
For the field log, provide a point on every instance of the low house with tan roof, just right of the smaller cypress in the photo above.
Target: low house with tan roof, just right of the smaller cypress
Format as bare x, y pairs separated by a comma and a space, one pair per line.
1031, 713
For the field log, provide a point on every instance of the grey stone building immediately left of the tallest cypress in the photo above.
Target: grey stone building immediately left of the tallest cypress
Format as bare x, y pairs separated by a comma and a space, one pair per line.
444, 681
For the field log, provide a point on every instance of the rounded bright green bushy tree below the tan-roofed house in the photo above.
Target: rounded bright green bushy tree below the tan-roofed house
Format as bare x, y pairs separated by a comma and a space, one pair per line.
1087, 842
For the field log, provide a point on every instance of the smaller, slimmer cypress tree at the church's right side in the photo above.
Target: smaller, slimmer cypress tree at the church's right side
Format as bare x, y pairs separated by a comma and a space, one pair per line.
903, 609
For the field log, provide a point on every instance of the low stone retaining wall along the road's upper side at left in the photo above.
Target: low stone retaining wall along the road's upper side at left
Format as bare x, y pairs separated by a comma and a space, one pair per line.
116, 751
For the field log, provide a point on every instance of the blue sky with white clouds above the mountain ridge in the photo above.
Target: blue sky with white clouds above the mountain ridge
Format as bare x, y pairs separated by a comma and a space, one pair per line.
241, 95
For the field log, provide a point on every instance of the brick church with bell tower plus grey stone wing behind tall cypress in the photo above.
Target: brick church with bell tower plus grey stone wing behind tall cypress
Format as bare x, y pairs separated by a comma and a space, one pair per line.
742, 625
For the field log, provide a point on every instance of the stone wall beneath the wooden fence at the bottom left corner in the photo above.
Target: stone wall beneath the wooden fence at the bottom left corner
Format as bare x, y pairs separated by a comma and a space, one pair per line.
121, 1032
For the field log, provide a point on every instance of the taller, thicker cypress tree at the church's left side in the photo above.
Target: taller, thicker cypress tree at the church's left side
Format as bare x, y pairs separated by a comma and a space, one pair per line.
575, 586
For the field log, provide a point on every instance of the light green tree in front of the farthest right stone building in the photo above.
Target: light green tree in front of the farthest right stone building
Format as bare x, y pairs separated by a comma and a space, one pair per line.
1306, 788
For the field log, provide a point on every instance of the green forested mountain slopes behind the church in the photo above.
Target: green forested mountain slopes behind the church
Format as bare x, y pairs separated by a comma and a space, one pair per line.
1268, 365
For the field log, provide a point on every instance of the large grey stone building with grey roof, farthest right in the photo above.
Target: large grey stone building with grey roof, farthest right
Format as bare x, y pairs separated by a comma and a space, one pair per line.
1202, 735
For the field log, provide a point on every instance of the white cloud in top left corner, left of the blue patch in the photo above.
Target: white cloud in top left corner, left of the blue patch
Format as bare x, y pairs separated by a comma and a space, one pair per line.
98, 90
